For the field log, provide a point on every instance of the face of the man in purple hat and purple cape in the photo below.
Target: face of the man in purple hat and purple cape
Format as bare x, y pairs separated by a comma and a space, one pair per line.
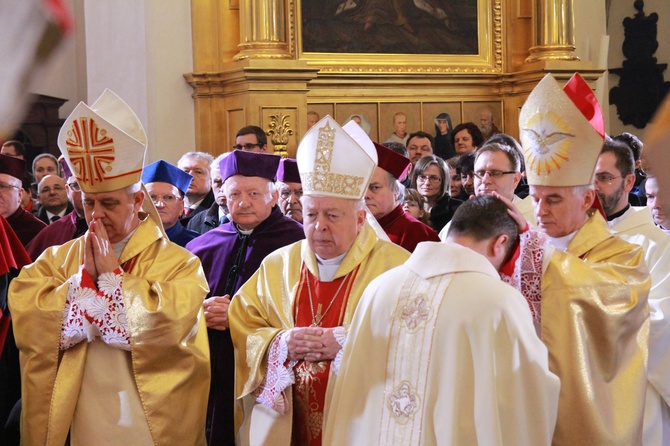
250, 200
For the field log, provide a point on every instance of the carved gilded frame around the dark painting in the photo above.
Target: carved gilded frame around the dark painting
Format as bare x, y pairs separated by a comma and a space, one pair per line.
487, 60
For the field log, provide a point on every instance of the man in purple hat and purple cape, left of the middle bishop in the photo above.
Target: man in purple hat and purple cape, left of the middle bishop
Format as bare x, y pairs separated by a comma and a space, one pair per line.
230, 254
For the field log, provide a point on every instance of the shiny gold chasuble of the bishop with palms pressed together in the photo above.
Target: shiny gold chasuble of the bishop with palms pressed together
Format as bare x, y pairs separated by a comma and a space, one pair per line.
163, 292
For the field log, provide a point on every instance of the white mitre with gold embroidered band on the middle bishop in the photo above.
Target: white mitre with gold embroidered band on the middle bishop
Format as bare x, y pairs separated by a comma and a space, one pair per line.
336, 161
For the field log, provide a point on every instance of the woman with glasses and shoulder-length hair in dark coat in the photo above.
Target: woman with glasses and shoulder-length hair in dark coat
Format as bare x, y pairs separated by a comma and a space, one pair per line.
430, 178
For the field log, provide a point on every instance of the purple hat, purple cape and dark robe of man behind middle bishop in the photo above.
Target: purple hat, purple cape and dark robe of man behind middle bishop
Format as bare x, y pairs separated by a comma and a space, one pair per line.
229, 258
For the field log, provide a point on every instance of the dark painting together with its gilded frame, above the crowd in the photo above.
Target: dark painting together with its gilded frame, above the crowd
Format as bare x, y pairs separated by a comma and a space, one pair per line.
399, 35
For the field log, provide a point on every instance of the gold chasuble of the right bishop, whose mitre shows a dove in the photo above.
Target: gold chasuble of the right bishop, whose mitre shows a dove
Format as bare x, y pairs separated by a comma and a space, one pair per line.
595, 323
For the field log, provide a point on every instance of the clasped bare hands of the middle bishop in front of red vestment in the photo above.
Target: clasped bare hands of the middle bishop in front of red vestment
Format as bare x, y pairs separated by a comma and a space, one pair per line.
312, 344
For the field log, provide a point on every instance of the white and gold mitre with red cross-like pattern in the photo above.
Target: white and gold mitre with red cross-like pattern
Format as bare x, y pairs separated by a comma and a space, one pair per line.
103, 144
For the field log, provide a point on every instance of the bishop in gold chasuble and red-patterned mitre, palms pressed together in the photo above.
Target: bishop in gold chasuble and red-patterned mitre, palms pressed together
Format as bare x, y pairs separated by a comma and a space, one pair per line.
109, 326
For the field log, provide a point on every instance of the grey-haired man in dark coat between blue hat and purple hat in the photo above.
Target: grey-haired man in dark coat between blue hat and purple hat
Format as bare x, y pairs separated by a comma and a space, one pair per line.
199, 196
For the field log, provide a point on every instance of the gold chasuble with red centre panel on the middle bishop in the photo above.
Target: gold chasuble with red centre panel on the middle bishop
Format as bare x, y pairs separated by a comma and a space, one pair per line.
267, 305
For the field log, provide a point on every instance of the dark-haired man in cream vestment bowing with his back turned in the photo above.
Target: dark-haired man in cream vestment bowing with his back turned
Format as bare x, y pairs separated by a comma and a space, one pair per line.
442, 352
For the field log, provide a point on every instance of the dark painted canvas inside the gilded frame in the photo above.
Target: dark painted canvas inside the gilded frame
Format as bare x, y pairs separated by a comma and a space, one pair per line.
390, 26
